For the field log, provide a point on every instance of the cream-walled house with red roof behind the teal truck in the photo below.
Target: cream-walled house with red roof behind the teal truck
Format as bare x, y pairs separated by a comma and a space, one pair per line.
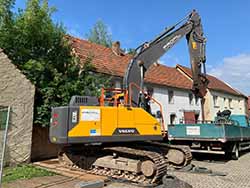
220, 96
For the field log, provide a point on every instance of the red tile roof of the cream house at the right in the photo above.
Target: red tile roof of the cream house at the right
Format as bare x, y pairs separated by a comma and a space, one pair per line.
214, 83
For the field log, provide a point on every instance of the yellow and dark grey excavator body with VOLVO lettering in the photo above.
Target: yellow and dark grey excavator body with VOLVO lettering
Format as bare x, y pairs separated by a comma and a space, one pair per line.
93, 124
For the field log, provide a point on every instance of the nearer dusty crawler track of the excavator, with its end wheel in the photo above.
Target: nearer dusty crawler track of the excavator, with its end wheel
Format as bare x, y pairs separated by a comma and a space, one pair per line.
148, 158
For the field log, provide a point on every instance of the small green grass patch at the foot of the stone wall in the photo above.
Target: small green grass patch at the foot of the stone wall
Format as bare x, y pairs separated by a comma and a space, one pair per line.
24, 172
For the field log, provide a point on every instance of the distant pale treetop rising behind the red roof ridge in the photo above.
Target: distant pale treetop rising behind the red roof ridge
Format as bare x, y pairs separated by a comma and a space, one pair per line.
99, 34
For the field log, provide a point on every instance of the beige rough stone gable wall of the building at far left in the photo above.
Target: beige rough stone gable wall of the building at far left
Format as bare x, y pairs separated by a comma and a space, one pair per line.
18, 92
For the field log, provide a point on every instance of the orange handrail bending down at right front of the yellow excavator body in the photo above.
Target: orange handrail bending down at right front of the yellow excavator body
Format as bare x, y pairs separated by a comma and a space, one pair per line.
151, 98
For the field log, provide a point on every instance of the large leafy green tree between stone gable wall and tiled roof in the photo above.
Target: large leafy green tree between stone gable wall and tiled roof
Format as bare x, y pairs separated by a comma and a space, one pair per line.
38, 47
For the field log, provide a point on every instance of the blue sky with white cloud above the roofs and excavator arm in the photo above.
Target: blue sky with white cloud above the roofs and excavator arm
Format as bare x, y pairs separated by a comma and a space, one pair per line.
226, 25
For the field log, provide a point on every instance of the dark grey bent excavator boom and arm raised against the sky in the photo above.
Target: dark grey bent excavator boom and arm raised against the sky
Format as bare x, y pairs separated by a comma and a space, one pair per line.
149, 52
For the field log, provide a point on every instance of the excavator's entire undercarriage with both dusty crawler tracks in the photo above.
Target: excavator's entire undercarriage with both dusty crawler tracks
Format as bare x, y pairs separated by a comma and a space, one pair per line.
145, 164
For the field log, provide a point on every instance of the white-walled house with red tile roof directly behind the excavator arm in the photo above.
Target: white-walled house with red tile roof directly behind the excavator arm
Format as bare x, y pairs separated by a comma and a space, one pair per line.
170, 86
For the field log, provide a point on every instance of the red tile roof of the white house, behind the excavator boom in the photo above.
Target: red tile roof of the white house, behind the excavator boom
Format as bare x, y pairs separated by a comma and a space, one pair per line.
105, 61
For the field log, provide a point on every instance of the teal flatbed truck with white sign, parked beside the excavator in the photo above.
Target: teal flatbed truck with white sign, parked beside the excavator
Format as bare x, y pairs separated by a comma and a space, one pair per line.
228, 134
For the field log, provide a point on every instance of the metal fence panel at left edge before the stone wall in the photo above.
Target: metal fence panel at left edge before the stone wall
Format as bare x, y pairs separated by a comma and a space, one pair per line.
4, 124
